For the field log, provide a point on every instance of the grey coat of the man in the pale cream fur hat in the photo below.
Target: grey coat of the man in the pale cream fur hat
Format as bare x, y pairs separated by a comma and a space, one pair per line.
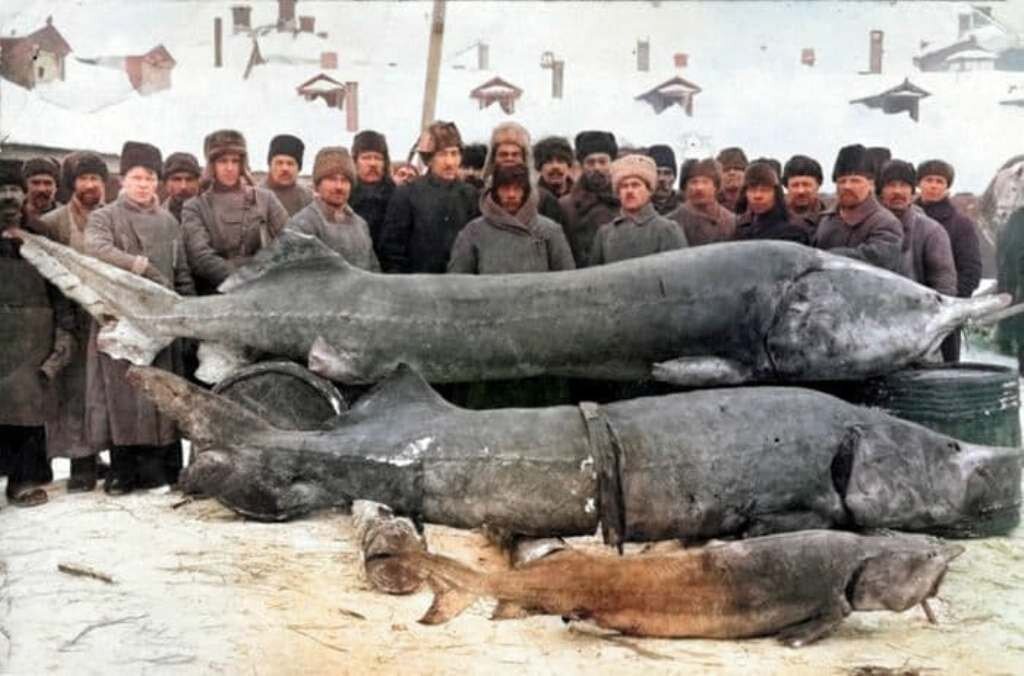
634, 236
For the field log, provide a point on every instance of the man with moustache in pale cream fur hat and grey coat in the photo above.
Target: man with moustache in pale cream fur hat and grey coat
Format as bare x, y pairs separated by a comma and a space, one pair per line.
639, 230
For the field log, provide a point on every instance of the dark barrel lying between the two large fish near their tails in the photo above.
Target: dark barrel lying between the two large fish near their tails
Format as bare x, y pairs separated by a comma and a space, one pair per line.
285, 395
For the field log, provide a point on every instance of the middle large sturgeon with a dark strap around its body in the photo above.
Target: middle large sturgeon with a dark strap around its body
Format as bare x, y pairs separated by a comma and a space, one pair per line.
697, 466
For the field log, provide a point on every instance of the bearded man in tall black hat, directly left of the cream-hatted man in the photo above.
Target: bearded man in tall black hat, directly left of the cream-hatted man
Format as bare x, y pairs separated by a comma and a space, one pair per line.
591, 203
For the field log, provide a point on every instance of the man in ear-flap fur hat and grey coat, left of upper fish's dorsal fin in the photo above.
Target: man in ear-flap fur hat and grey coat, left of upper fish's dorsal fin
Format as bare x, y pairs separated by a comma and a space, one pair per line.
232, 220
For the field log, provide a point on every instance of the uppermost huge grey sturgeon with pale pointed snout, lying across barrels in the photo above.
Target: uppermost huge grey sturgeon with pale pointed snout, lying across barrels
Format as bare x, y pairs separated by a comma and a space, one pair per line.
730, 314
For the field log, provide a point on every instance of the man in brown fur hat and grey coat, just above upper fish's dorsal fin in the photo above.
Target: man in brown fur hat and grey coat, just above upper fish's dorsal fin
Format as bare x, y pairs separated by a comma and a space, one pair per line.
329, 218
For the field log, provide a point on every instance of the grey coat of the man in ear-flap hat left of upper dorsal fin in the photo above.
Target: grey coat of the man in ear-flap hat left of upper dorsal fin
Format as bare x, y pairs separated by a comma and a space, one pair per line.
225, 229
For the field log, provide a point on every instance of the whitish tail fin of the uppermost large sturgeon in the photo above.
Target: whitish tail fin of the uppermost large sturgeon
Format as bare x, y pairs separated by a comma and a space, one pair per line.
107, 291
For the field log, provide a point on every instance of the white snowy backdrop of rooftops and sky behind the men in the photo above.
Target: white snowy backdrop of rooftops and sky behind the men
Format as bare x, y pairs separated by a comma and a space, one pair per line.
745, 56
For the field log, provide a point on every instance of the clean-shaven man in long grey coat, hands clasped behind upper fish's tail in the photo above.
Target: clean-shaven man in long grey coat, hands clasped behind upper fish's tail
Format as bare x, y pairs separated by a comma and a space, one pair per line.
136, 234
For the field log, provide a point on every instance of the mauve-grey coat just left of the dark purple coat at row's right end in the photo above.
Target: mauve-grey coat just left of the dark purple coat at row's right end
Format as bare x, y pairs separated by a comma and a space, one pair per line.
928, 259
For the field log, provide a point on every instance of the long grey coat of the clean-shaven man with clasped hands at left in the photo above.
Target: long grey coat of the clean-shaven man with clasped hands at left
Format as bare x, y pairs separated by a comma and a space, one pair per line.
118, 413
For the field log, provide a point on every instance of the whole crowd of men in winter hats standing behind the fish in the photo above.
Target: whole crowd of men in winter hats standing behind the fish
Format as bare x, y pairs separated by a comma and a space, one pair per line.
517, 207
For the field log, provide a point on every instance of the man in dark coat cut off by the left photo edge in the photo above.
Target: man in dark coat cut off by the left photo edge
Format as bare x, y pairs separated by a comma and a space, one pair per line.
36, 345
